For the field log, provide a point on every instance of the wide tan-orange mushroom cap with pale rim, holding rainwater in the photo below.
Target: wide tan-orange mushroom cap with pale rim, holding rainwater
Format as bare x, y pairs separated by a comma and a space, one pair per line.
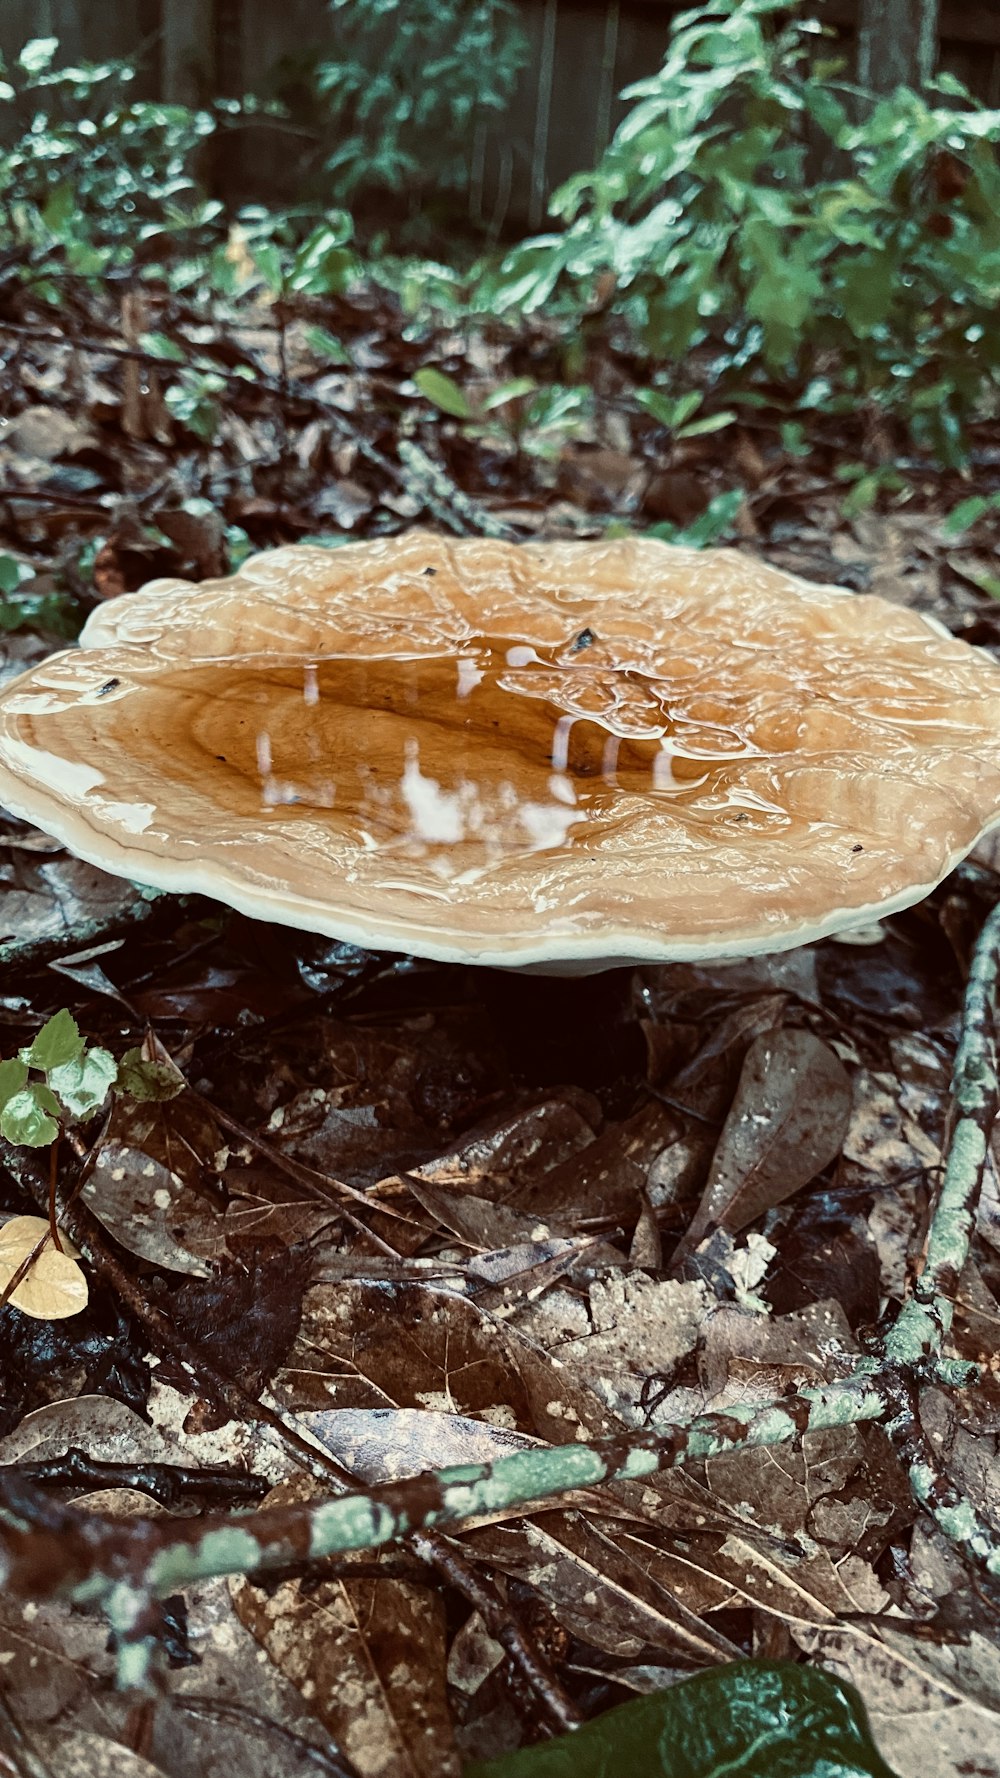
556, 757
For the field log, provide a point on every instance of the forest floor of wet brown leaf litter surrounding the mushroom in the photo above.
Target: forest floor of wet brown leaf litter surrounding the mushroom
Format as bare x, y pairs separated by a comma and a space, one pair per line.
428, 1217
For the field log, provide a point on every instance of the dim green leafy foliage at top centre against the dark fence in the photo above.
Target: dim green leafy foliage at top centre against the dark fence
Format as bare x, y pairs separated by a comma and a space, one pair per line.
408, 86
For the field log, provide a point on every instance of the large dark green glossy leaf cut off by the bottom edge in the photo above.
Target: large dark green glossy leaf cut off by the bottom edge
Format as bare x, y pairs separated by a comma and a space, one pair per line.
750, 1720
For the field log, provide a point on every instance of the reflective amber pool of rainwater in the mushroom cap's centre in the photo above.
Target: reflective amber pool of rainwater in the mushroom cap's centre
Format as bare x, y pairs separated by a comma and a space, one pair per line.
494, 751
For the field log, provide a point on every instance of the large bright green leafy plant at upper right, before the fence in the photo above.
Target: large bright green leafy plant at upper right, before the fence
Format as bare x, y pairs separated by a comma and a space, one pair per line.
759, 211
